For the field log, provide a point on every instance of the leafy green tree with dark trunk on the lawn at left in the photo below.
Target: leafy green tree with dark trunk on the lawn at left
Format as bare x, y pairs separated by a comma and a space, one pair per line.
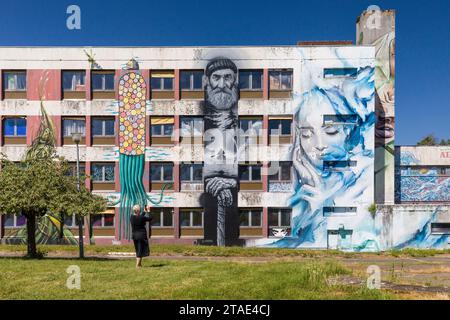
34, 188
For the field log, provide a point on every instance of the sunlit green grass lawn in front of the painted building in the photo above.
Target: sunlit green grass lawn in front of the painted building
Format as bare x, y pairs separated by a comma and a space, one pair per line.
176, 279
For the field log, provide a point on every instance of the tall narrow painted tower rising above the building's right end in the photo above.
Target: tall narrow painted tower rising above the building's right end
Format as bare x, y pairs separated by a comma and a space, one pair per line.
377, 28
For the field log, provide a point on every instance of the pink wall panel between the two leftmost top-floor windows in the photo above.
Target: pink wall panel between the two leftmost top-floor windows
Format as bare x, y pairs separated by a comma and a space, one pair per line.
51, 87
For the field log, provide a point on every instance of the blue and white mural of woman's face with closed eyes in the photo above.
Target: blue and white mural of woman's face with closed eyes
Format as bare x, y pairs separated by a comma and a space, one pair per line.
333, 160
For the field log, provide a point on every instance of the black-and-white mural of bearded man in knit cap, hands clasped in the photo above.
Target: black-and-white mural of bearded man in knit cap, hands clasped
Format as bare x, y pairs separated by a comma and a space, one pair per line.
220, 154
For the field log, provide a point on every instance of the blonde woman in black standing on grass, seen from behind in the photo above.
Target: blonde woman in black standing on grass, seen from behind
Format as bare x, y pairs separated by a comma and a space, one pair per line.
139, 233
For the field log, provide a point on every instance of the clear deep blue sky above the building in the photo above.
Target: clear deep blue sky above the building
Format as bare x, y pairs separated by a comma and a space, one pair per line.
423, 37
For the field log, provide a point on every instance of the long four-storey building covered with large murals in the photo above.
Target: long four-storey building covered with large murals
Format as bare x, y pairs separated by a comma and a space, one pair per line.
307, 130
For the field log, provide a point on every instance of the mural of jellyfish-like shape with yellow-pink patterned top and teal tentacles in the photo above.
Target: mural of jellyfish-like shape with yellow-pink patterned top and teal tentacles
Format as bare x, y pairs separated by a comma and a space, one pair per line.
132, 125
